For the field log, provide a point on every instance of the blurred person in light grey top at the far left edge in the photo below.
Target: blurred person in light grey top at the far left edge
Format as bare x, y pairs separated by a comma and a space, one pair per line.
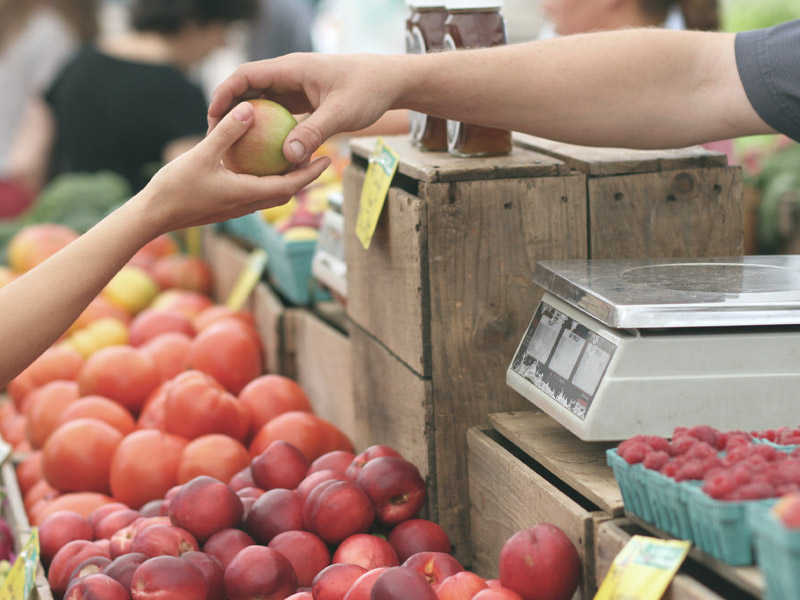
37, 37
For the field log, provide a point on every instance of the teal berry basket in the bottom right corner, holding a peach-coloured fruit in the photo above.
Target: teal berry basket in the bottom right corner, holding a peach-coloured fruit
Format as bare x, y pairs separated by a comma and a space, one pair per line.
777, 551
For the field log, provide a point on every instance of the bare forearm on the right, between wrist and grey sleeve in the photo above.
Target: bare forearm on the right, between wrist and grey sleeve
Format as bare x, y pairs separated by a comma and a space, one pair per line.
634, 88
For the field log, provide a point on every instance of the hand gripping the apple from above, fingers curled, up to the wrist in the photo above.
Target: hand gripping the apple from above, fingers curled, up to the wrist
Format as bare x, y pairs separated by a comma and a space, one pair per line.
341, 93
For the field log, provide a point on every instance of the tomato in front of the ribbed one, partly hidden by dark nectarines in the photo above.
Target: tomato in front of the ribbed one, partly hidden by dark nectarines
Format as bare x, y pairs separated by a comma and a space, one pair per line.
216, 455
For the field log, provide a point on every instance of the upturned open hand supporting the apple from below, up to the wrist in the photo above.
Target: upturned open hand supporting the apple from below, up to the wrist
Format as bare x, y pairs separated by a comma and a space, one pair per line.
196, 189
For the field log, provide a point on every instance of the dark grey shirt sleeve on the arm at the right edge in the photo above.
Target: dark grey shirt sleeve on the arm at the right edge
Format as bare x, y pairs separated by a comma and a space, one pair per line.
769, 65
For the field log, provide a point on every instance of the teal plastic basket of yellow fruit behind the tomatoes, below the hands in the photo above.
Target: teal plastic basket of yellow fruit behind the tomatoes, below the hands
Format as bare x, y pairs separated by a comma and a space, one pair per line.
289, 263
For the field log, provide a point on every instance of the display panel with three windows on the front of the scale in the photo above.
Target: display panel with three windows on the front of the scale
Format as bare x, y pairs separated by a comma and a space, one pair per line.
563, 358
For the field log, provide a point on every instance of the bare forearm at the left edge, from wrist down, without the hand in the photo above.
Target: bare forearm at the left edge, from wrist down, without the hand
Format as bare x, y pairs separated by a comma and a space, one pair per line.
39, 306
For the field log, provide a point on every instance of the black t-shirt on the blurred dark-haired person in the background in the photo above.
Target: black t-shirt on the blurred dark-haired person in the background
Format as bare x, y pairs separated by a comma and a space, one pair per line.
119, 115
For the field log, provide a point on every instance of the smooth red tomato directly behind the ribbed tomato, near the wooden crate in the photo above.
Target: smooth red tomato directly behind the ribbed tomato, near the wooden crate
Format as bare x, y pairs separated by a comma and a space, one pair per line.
226, 351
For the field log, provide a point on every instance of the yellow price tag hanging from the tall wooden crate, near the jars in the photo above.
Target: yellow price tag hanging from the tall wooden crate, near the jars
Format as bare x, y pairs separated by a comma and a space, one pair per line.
382, 166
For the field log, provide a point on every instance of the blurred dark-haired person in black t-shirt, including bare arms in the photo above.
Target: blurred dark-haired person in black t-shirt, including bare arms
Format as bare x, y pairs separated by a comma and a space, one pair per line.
127, 104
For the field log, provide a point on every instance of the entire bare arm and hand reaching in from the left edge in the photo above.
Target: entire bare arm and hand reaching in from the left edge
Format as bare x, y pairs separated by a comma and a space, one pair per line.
194, 189
